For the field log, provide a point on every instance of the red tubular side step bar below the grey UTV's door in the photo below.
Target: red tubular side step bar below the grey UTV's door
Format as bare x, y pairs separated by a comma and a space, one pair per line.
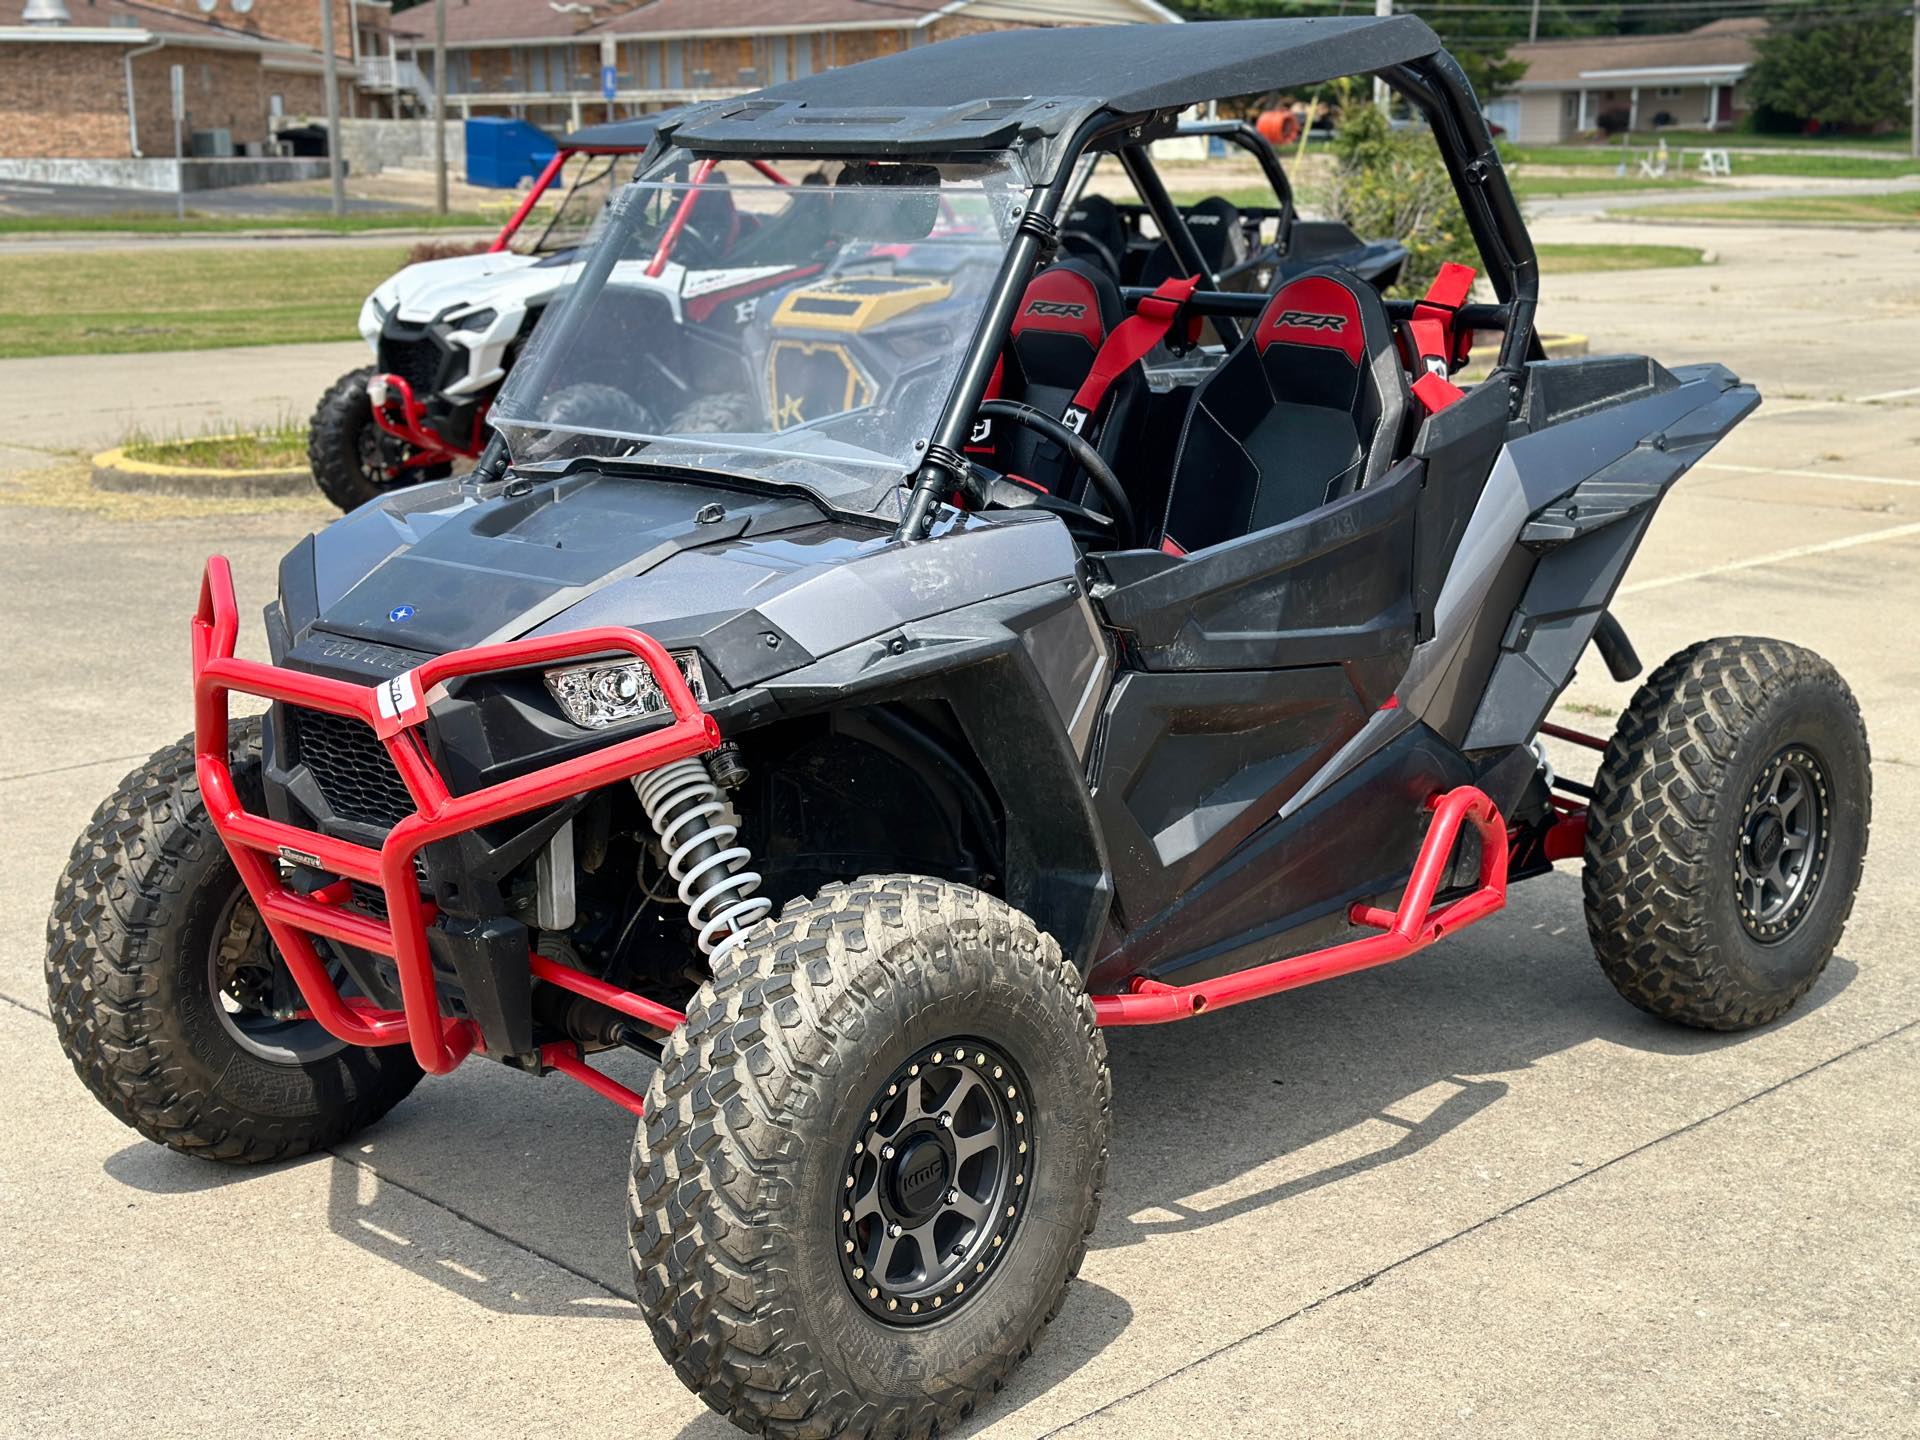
1414, 926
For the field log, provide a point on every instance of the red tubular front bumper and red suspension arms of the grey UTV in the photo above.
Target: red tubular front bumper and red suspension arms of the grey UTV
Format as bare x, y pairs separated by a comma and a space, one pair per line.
395, 711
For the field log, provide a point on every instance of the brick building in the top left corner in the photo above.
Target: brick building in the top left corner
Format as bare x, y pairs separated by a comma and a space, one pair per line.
91, 80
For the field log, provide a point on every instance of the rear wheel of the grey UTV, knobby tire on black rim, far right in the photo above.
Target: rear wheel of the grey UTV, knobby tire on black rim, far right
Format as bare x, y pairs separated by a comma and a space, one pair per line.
1683, 819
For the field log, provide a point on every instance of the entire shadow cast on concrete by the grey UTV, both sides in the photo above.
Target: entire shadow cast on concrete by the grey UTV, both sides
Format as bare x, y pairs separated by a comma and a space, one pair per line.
1341, 1078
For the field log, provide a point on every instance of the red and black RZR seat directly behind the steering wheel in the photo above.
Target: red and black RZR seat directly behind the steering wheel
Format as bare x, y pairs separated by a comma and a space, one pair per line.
1063, 329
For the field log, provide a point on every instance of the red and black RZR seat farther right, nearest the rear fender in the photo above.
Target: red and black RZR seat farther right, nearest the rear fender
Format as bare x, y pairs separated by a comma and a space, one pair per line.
1308, 408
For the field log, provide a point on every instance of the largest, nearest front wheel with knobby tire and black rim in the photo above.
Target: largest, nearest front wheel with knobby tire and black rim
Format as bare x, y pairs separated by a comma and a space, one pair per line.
754, 1120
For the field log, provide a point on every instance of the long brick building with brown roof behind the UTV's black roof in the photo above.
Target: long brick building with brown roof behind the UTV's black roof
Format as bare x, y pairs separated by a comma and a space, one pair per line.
542, 60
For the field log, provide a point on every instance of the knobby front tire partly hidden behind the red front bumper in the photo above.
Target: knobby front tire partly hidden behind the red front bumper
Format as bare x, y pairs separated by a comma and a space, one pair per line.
128, 971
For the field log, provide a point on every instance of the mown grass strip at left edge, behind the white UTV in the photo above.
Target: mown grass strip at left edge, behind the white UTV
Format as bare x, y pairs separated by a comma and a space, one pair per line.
139, 300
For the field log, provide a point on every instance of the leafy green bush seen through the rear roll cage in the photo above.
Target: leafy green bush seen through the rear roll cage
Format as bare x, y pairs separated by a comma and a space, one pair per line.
1393, 185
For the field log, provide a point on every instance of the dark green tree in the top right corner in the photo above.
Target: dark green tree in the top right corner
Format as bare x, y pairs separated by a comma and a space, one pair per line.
1825, 64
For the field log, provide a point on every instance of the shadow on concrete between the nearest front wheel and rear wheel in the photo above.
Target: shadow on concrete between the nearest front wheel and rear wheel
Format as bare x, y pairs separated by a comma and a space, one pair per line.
1366, 1070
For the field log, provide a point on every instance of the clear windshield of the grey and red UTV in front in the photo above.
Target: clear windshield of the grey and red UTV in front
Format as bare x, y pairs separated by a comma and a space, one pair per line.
794, 325
